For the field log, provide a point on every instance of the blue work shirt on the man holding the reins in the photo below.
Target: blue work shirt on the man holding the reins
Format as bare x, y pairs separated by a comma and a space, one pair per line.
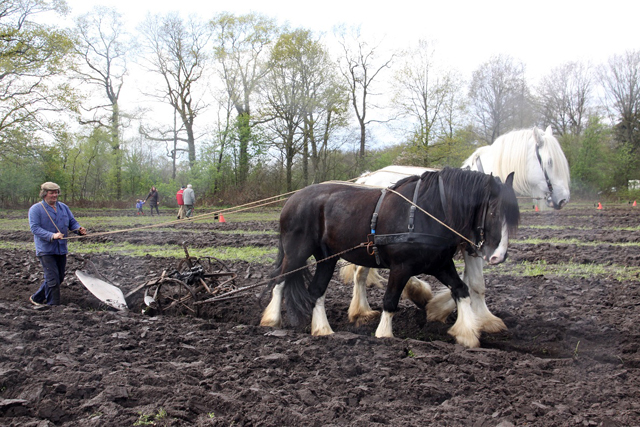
43, 228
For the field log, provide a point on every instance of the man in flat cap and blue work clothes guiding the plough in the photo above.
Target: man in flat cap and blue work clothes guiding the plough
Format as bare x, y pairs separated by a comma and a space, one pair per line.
50, 222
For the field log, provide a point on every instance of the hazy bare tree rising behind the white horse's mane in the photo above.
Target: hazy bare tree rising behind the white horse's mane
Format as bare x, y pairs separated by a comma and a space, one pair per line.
498, 94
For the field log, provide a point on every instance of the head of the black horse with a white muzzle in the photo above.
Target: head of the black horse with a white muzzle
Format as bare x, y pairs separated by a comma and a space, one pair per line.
498, 218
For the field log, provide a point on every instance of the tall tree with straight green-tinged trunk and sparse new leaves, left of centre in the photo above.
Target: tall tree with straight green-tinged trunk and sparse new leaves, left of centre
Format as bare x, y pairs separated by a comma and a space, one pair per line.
241, 48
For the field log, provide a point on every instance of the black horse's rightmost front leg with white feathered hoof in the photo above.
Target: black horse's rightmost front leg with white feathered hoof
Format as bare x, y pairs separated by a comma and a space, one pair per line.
466, 330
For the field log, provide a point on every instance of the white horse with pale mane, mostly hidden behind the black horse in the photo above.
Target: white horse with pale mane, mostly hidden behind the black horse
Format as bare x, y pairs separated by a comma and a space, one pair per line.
541, 171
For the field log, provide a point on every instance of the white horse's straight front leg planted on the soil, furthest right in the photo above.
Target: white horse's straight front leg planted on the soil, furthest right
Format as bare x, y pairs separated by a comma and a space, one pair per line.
474, 278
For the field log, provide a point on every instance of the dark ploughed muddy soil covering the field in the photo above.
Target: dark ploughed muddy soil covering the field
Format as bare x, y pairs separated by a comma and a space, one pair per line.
570, 357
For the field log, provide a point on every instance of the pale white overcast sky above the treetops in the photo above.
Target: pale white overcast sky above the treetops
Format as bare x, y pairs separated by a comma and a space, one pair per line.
542, 34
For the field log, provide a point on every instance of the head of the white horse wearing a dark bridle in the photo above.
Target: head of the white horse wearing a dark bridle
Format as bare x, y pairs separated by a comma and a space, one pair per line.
548, 171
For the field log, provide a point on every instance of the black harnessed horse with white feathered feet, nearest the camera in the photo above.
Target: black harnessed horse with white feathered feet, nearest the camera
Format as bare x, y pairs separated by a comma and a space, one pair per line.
327, 220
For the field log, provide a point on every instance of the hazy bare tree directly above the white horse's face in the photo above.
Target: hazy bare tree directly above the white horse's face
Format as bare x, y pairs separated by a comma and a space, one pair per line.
564, 97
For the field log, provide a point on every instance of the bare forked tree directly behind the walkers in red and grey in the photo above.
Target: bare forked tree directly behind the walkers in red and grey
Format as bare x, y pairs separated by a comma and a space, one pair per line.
179, 56
